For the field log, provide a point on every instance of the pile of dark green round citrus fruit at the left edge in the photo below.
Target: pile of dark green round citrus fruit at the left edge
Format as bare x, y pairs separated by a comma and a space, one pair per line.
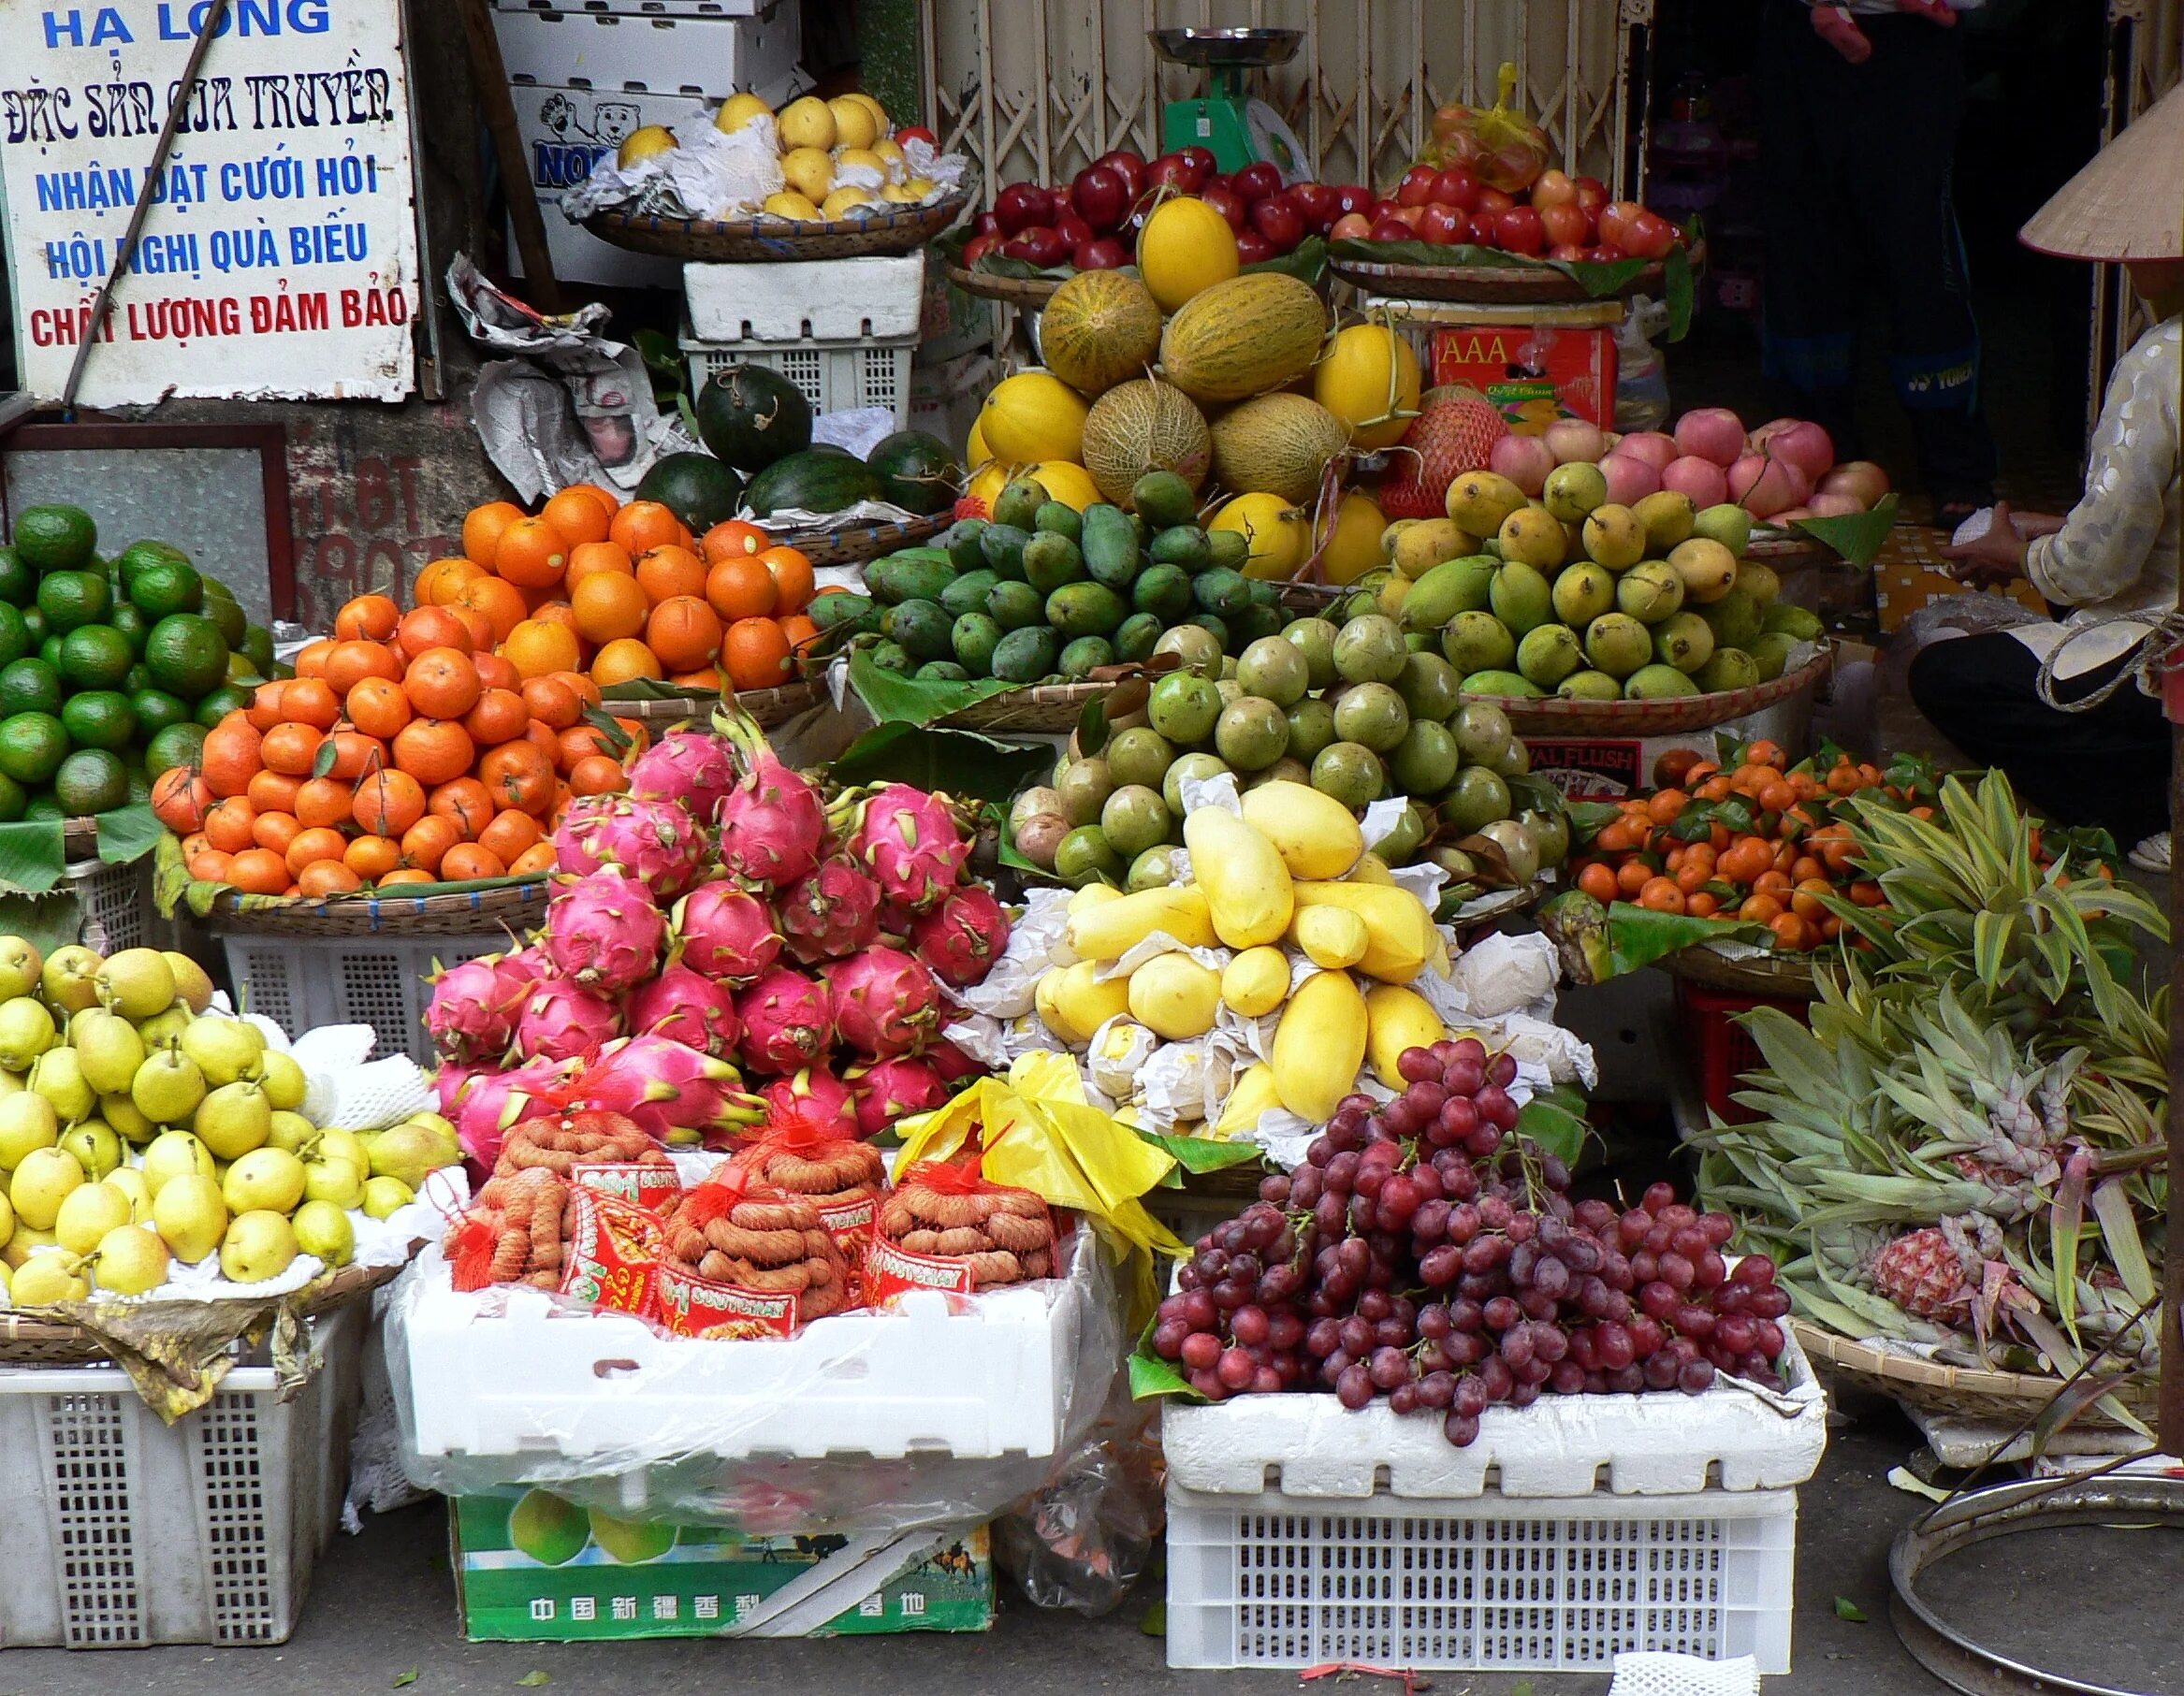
110, 669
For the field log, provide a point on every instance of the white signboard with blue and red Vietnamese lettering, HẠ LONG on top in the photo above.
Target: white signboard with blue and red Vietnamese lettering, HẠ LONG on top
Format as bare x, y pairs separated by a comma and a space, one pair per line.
281, 252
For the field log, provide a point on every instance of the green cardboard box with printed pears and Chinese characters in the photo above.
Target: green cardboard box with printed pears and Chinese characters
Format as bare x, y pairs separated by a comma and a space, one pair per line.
702, 1581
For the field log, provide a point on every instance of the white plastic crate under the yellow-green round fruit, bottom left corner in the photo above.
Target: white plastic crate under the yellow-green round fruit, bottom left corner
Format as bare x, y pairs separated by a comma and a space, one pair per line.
126, 1531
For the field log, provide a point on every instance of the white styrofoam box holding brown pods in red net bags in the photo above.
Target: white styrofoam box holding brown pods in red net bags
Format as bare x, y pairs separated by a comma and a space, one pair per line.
886, 1385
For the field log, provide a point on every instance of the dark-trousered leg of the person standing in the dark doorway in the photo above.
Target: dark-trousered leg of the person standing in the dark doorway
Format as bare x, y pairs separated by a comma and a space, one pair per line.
1906, 160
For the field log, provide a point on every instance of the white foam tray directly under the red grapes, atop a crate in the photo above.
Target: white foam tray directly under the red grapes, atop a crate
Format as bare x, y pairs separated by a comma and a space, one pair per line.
1654, 1444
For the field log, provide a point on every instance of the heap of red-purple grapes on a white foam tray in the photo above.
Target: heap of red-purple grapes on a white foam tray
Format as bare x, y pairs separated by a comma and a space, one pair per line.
1425, 1256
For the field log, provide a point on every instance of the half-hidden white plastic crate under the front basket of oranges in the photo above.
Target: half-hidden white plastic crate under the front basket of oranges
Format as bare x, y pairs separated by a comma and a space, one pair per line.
381, 981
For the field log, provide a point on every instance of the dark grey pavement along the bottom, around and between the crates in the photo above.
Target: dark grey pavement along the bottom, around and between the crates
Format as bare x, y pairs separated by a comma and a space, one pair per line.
2102, 1603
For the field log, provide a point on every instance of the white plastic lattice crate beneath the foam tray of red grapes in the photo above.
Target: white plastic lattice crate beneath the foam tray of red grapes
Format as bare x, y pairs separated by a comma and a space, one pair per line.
1491, 1586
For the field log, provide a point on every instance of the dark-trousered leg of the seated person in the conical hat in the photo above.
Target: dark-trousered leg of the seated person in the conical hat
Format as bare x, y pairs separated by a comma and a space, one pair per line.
2104, 767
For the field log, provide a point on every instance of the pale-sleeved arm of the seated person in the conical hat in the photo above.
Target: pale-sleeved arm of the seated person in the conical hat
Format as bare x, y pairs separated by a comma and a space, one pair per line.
2133, 462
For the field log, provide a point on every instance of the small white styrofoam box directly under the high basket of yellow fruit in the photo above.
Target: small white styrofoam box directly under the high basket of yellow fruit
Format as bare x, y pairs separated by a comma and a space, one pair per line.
816, 300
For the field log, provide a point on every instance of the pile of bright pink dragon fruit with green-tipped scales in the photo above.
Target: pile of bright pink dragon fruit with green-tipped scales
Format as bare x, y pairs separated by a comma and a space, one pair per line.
728, 924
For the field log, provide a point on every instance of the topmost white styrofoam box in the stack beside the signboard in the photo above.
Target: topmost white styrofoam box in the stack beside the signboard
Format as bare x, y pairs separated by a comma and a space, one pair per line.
709, 58
